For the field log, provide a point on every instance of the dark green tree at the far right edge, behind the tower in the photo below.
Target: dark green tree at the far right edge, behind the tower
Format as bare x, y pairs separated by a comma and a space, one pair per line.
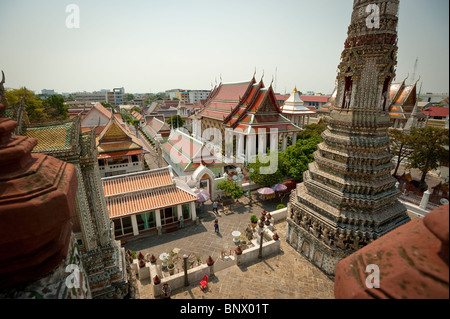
428, 145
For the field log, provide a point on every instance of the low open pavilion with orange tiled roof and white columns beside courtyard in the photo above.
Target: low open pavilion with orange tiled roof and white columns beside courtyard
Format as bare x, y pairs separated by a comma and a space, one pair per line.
147, 201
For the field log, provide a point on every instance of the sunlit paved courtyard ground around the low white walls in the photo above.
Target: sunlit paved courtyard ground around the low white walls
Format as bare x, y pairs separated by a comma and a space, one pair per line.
285, 276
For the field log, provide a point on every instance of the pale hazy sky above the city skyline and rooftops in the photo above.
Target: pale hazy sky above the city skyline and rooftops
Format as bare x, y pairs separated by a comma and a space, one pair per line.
152, 46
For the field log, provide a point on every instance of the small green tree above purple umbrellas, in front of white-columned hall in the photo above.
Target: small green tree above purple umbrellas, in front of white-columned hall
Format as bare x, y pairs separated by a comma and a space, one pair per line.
260, 176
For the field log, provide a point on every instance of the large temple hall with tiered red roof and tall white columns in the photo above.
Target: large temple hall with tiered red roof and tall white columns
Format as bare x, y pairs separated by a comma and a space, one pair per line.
244, 113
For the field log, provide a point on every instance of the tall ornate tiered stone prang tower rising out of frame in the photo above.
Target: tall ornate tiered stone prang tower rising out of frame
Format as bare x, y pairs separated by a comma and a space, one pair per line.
348, 197
